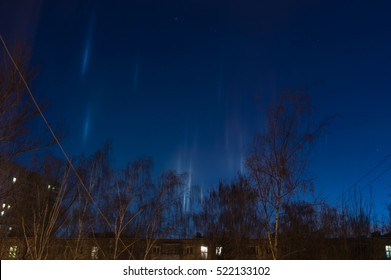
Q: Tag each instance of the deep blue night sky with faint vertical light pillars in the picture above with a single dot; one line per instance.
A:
(183, 81)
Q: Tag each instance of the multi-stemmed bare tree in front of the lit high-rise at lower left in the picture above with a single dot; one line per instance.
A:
(33, 212)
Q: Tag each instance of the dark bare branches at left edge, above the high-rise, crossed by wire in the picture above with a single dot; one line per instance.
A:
(17, 110)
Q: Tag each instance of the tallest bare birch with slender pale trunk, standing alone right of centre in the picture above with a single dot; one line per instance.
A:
(277, 160)
